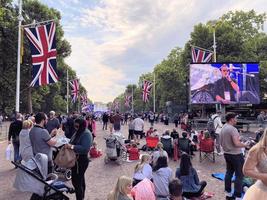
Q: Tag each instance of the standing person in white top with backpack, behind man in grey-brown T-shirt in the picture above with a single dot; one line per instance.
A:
(217, 122)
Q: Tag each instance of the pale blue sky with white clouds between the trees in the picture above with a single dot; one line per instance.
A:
(115, 41)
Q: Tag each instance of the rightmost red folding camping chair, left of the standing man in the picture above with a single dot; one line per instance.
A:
(206, 150)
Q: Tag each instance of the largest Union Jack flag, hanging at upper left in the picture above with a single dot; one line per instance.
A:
(43, 50)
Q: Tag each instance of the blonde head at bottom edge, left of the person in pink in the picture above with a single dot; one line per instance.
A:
(122, 189)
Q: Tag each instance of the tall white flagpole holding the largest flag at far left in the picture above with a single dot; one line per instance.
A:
(18, 60)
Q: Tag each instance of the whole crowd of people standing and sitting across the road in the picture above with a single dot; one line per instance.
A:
(152, 177)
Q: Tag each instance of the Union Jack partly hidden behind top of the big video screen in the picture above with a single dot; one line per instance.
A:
(201, 55)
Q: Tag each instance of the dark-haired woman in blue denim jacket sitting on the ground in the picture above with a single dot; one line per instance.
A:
(189, 178)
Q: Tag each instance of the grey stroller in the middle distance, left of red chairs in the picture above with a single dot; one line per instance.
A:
(115, 150)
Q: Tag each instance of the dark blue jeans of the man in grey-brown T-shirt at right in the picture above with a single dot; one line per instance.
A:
(234, 164)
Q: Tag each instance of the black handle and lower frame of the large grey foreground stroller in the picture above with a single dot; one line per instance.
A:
(53, 190)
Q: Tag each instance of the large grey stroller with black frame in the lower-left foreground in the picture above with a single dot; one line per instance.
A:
(32, 177)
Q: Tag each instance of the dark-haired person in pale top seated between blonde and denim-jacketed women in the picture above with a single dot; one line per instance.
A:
(162, 175)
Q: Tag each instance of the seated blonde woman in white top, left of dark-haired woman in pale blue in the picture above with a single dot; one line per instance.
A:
(142, 170)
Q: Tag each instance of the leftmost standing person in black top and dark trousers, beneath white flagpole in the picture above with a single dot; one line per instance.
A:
(13, 133)
